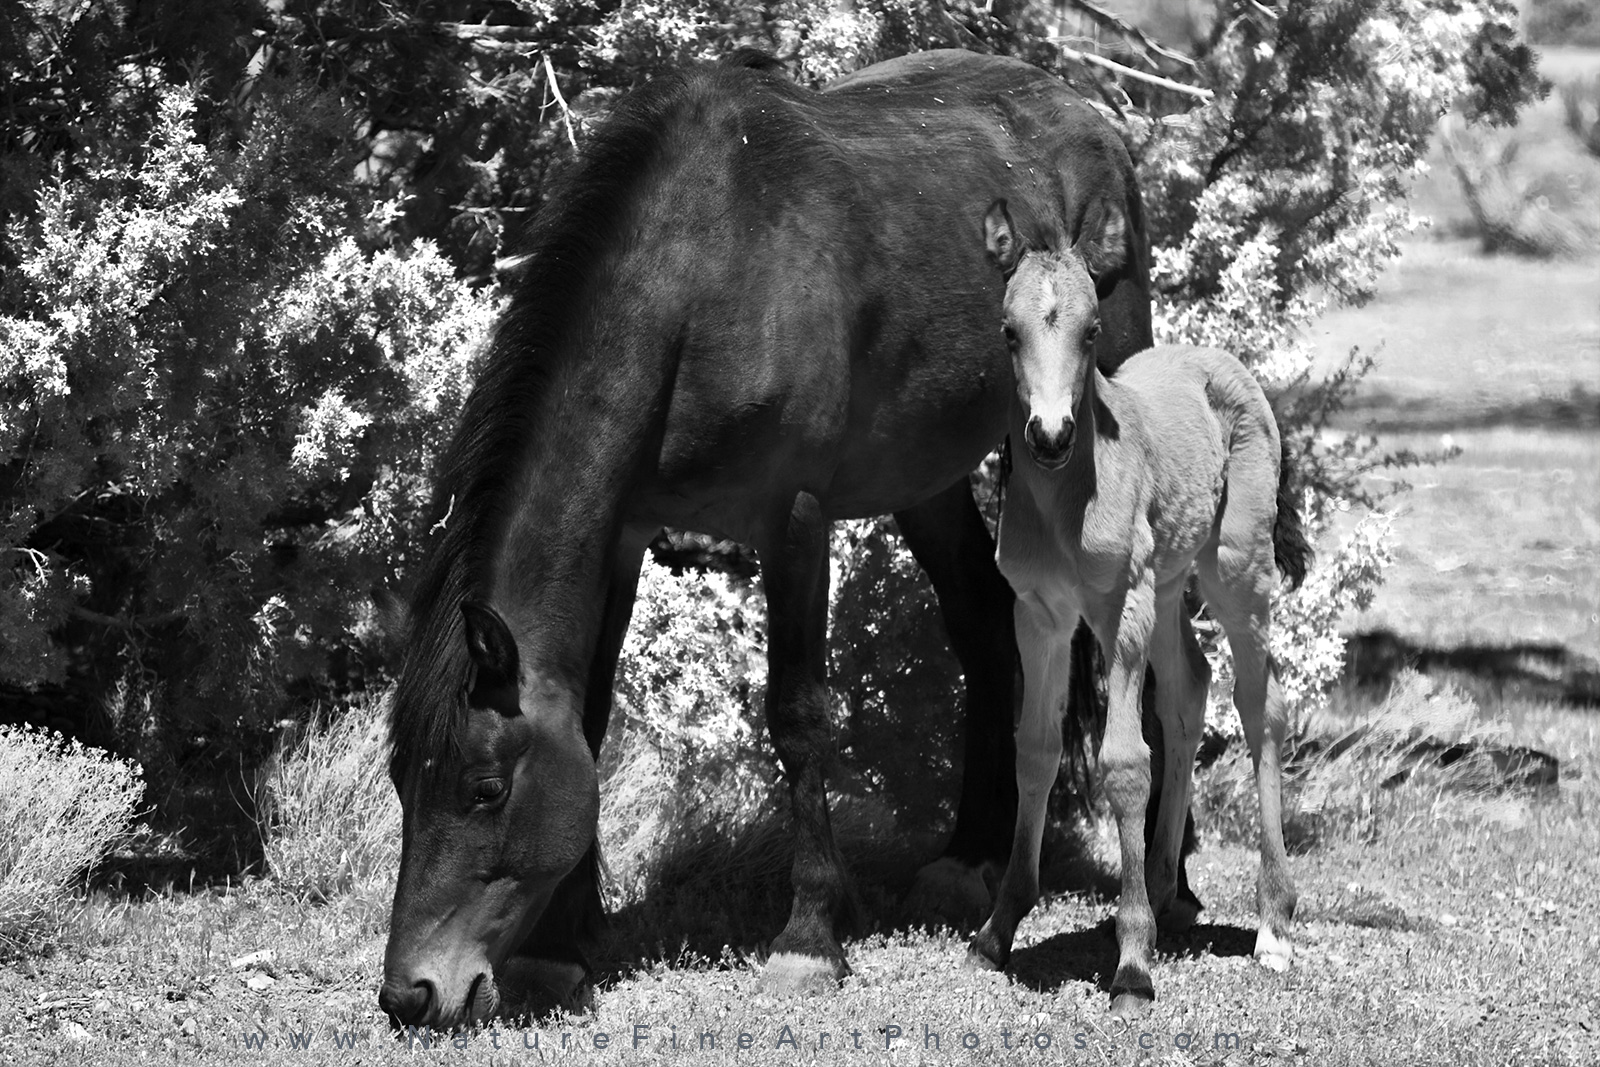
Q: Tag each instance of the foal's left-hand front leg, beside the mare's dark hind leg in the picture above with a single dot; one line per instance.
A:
(1044, 637)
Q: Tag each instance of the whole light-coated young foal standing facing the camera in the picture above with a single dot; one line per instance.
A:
(1129, 484)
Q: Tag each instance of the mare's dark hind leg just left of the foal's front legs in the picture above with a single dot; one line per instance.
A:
(953, 545)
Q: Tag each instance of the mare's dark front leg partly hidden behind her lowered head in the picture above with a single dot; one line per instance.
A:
(554, 956)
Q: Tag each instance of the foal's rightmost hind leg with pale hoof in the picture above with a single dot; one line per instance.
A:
(1239, 596)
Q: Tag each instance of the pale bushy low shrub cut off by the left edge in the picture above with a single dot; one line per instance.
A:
(63, 809)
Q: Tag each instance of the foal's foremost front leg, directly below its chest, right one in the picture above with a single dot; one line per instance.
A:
(1126, 769)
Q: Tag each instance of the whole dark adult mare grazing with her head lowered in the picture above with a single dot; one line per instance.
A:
(753, 310)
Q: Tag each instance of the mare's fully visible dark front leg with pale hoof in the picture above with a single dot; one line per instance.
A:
(807, 956)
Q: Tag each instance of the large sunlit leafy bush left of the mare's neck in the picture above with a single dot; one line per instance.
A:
(220, 409)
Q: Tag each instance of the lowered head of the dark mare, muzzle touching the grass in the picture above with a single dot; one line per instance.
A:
(502, 802)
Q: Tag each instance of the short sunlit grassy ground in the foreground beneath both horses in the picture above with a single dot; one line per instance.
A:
(1454, 930)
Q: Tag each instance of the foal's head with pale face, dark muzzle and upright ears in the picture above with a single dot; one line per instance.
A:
(1052, 321)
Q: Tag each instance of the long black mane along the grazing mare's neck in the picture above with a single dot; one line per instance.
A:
(578, 225)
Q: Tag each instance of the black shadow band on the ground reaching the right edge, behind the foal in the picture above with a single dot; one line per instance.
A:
(1529, 671)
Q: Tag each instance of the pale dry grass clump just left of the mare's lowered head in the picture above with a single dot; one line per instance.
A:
(329, 817)
